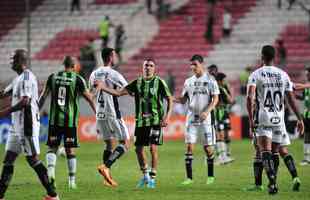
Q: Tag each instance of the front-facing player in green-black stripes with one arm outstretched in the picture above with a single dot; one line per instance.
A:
(149, 91)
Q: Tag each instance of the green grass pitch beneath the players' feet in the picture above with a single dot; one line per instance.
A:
(230, 179)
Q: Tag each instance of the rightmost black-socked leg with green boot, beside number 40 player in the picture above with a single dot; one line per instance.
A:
(290, 164)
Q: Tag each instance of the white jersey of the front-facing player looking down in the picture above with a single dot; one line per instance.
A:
(199, 92)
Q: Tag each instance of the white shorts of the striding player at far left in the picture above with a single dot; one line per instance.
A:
(29, 145)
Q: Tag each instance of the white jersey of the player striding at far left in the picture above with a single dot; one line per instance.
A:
(25, 122)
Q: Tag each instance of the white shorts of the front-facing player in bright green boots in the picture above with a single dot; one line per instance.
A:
(204, 132)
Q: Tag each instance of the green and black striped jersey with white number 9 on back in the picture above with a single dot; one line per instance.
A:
(65, 87)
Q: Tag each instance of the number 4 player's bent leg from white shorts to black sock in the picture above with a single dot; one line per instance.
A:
(121, 133)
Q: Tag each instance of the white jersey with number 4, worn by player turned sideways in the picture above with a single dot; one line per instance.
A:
(107, 105)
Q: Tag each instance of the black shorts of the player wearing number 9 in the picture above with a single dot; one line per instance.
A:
(57, 133)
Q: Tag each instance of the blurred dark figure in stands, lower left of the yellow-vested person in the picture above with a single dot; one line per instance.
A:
(87, 58)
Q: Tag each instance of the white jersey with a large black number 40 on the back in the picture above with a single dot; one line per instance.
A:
(271, 84)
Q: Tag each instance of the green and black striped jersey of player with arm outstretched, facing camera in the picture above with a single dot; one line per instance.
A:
(149, 95)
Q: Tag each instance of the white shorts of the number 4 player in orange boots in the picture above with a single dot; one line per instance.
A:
(112, 129)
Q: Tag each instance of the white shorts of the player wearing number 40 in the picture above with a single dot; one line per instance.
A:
(277, 134)
